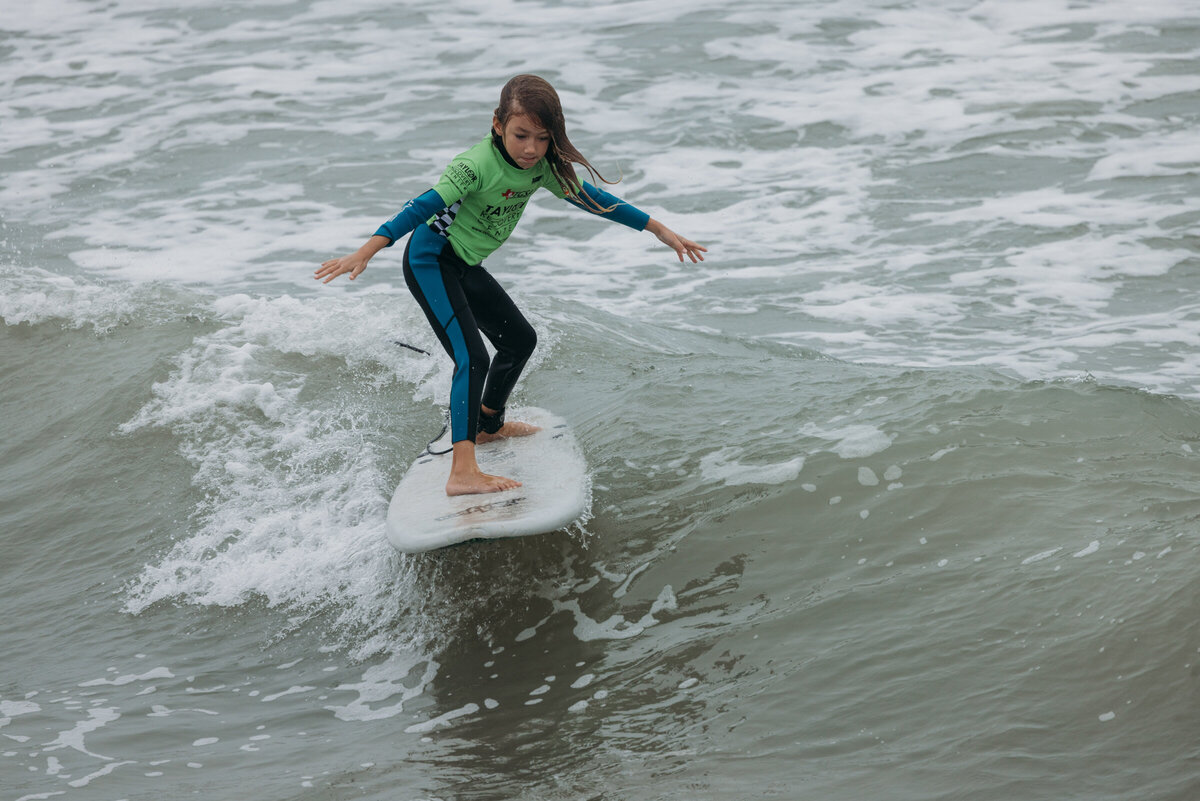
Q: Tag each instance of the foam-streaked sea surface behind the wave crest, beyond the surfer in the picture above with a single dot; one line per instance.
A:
(1028, 233)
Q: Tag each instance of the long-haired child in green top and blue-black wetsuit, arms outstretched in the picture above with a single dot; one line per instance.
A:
(469, 214)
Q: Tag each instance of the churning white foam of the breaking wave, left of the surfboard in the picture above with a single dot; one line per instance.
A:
(295, 492)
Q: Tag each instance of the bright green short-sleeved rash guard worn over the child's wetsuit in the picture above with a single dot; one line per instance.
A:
(485, 198)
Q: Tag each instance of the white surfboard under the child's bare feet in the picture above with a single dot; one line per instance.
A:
(554, 495)
